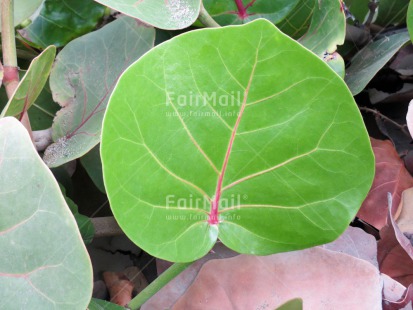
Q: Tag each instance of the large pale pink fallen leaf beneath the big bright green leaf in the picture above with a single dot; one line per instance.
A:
(320, 277)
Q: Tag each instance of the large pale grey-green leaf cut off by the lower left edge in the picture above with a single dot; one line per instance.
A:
(44, 263)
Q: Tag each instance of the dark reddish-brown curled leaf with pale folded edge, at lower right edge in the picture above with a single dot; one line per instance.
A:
(395, 252)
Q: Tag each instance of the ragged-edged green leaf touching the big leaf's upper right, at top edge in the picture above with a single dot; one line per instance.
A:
(327, 29)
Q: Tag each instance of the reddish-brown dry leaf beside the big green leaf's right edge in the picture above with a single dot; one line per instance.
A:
(391, 177)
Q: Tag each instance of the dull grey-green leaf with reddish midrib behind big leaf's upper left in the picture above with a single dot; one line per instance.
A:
(82, 79)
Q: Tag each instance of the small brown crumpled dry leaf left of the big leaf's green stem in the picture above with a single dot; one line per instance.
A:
(119, 286)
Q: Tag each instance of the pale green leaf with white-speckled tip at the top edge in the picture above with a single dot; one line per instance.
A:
(169, 15)
